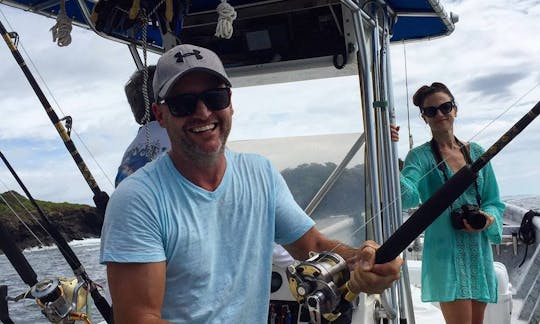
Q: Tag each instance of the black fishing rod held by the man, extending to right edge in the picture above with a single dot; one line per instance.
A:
(447, 194)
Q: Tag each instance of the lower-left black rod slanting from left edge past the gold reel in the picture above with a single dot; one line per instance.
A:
(68, 253)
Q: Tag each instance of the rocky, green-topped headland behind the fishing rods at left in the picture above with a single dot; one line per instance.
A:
(73, 221)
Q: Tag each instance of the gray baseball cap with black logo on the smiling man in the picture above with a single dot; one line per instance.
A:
(182, 59)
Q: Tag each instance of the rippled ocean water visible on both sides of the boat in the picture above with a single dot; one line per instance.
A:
(48, 263)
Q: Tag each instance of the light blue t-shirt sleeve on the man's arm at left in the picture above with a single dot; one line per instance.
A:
(131, 230)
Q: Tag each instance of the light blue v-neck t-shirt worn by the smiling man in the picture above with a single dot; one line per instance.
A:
(217, 245)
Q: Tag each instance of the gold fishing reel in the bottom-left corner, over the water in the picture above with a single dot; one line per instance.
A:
(61, 300)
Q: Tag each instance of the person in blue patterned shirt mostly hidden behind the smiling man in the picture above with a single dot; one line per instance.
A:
(151, 139)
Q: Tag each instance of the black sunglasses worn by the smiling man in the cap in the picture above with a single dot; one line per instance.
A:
(185, 104)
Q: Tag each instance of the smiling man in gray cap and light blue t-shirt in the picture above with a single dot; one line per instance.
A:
(188, 238)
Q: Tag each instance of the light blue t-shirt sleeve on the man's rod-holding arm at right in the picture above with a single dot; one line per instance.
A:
(291, 221)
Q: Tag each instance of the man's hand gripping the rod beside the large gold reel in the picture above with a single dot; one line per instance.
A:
(369, 277)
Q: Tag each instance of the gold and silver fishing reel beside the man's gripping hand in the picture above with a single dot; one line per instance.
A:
(321, 284)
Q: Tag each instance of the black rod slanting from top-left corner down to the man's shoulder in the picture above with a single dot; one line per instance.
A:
(100, 197)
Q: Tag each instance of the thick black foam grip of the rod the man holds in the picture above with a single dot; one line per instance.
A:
(425, 215)
